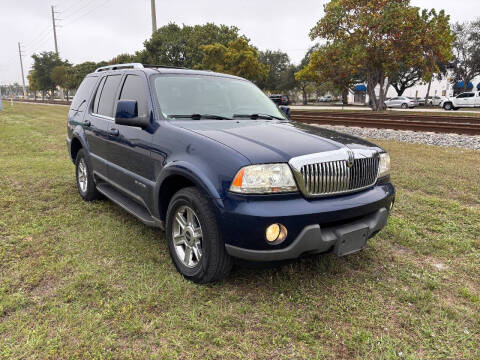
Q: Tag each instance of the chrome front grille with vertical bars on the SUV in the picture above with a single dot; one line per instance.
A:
(330, 174)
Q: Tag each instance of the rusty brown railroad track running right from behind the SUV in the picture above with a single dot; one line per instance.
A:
(440, 124)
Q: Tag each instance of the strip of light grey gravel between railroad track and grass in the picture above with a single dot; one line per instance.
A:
(429, 138)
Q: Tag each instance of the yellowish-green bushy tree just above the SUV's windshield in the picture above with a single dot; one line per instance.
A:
(237, 58)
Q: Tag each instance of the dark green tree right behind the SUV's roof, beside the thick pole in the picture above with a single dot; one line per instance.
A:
(181, 46)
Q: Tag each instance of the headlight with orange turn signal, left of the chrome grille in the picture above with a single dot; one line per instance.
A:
(264, 178)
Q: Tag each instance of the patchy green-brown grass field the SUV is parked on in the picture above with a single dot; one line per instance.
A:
(87, 280)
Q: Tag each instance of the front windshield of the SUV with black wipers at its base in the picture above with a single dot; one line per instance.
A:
(181, 96)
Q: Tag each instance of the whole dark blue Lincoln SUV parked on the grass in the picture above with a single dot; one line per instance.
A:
(210, 159)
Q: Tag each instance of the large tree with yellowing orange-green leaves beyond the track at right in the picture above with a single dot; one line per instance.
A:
(377, 36)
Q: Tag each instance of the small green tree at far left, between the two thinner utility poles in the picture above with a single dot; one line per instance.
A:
(43, 64)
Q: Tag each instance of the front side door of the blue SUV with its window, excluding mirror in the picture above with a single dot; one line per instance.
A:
(130, 166)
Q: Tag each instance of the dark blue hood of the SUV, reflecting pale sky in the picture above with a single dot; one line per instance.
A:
(264, 141)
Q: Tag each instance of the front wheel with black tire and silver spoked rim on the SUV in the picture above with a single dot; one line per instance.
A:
(199, 255)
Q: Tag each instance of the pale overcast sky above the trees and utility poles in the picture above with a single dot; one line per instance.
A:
(95, 30)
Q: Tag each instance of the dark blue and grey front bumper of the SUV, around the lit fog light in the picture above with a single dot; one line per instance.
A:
(314, 225)
